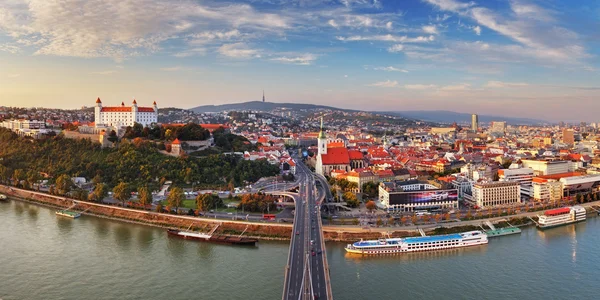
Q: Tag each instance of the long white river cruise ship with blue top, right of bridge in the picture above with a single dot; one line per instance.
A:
(418, 244)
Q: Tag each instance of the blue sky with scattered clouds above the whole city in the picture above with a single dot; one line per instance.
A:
(522, 58)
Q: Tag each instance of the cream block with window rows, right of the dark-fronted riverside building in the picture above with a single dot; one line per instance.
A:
(496, 193)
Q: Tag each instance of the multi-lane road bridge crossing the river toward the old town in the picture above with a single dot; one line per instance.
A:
(307, 270)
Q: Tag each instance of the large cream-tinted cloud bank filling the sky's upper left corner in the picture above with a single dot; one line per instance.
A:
(122, 28)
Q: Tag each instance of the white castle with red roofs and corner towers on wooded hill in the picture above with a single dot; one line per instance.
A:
(123, 116)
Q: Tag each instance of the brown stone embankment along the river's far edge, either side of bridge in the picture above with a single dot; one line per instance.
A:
(261, 231)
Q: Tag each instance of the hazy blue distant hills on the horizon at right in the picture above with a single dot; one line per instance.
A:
(444, 116)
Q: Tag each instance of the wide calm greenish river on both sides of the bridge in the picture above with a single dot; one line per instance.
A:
(46, 257)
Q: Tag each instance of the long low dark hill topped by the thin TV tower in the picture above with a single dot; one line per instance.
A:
(260, 106)
